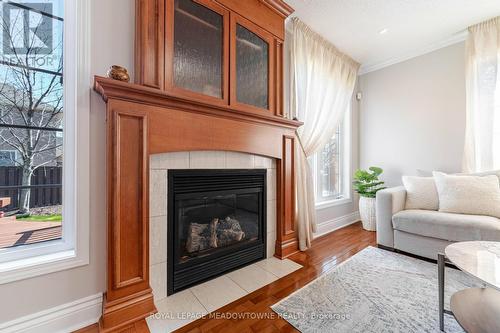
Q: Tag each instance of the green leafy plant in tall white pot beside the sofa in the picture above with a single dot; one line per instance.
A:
(367, 184)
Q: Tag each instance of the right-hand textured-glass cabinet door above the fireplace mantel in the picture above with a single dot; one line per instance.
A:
(252, 66)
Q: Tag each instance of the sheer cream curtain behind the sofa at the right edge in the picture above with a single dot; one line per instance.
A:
(482, 139)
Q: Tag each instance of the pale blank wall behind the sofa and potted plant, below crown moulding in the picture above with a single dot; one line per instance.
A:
(412, 115)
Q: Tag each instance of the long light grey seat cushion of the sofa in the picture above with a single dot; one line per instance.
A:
(447, 226)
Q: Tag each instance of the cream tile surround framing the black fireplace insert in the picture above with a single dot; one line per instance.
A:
(159, 166)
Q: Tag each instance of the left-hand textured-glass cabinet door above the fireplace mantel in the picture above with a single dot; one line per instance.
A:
(199, 44)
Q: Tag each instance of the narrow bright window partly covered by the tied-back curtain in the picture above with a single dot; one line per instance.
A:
(331, 168)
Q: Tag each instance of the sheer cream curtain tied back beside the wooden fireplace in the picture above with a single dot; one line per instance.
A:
(322, 82)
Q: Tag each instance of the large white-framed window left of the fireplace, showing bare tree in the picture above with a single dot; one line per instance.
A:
(39, 151)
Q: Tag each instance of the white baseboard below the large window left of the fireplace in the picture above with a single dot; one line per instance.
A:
(64, 318)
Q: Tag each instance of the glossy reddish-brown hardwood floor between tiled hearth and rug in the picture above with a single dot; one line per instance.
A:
(254, 312)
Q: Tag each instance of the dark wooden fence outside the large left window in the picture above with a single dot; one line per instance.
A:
(46, 186)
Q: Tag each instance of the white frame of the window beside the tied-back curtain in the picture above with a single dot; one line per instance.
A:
(346, 160)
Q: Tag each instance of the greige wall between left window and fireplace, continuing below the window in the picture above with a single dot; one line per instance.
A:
(112, 43)
